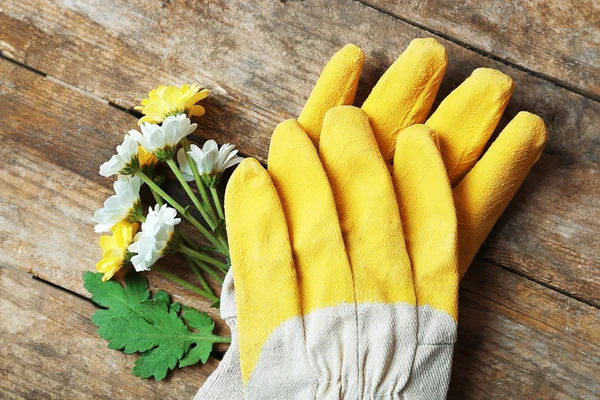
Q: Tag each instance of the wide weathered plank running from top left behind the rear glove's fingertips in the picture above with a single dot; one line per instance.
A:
(261, 58)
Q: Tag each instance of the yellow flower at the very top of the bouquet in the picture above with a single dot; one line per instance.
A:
(171, 100)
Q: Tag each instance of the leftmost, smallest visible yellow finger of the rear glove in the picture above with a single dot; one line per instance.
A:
(335, 87)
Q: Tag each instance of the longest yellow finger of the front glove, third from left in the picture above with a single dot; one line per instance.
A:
(367, 208)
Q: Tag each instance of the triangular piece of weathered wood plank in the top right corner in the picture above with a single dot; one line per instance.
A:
(557, 39)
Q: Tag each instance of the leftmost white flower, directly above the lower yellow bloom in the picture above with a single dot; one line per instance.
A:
(120, 206)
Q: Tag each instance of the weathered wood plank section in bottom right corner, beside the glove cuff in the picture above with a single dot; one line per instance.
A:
(520, 340)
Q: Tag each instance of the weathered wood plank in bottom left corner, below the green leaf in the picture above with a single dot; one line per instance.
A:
(50, 350)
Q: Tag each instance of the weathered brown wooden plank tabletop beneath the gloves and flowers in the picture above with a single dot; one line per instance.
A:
(71, 70)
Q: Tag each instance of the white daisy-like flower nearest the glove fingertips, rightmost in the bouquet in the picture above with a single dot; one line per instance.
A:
(210, 160)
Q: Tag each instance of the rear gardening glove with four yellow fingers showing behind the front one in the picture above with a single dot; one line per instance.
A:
(404, 96)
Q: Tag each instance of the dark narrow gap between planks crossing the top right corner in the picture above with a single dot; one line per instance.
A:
(556, 82)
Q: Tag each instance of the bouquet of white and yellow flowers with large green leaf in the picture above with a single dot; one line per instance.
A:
(165, 333)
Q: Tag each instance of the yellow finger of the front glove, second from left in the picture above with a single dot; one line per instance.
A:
(322, 267)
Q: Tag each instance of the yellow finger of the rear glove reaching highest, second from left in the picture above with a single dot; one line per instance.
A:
(404, 94)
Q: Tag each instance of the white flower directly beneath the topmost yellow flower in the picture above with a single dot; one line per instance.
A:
(162, 140)
